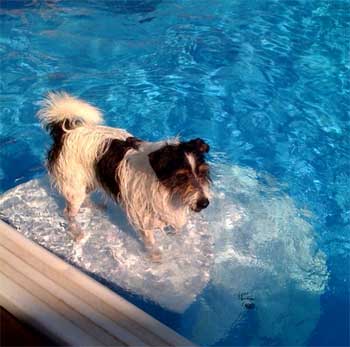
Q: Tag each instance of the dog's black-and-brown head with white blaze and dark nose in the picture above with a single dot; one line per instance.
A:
(182, 169)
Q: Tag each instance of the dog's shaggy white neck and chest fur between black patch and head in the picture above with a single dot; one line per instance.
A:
(147, 203)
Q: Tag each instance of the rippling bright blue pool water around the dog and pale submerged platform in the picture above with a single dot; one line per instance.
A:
(267, 83)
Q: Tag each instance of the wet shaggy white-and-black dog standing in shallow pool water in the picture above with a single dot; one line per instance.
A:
(157, 183)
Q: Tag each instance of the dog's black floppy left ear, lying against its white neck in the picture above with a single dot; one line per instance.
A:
(161, 162)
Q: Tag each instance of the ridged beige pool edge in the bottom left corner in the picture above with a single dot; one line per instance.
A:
(68, 306)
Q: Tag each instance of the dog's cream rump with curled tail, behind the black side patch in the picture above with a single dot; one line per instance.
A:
(78, 142)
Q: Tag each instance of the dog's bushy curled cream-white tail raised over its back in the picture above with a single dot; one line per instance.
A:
(67, 112)
